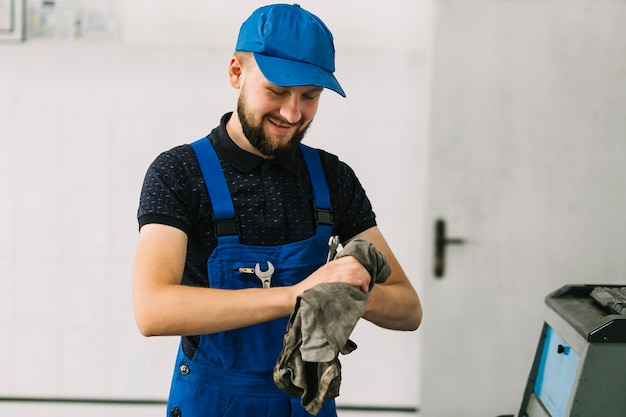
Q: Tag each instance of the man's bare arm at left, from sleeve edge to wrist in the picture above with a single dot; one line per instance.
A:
(165, 307)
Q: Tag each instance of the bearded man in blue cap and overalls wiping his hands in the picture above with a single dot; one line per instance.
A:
(236, 226)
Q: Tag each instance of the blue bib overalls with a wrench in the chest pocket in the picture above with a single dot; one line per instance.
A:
(230, 374)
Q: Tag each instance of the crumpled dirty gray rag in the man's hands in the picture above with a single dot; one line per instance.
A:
(319, 327)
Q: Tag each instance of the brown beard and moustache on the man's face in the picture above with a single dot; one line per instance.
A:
(257, 137)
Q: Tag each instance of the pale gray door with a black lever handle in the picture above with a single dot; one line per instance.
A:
(528, 166)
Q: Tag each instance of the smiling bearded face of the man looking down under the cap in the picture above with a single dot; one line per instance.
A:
(272, 119)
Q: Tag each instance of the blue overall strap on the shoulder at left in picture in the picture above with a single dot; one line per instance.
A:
(223, 210)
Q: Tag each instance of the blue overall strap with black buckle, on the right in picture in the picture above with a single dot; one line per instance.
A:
(321, 195)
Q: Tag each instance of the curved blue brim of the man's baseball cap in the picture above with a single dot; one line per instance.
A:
(287, 73)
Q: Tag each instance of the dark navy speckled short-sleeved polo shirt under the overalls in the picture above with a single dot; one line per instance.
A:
(272, 198)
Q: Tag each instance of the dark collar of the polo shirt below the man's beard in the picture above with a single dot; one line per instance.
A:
(243, 160)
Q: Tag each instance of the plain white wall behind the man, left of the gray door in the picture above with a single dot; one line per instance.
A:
(79, 124)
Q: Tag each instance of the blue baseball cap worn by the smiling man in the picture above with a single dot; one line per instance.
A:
(292, 46)
